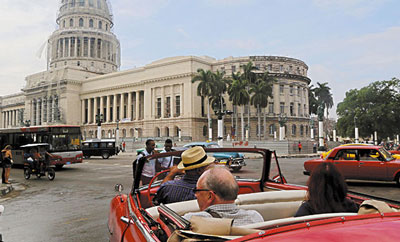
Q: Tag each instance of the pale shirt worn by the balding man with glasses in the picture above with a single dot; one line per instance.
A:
(240, 216)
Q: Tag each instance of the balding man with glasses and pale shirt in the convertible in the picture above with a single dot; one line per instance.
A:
(216, 192)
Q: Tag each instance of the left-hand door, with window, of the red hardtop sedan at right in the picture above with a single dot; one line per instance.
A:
(346, 162)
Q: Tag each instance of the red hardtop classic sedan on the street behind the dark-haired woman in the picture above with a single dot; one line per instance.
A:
(361, 162)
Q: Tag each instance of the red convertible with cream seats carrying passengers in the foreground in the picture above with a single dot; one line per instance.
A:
(133, 217)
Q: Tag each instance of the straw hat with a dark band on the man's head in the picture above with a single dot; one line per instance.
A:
(194, 158)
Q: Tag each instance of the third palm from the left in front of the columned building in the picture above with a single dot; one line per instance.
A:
(239, 95)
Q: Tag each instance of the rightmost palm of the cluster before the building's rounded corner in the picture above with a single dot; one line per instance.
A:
(261, 90)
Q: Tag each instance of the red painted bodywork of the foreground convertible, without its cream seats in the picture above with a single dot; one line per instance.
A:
(131, 216)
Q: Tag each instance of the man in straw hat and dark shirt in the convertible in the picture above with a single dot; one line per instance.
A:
(194, 162)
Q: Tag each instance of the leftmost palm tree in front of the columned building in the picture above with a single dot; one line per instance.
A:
(204, 89)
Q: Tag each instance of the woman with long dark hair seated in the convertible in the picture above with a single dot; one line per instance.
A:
(327, 191)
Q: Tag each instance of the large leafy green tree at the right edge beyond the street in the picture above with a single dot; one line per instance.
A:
(376, 108)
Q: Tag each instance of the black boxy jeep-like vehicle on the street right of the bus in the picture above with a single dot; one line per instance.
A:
(99, 147)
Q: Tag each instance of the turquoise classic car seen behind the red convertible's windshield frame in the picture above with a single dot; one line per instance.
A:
(233, 160)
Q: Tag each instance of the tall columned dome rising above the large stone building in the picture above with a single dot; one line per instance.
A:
(84, 37)
